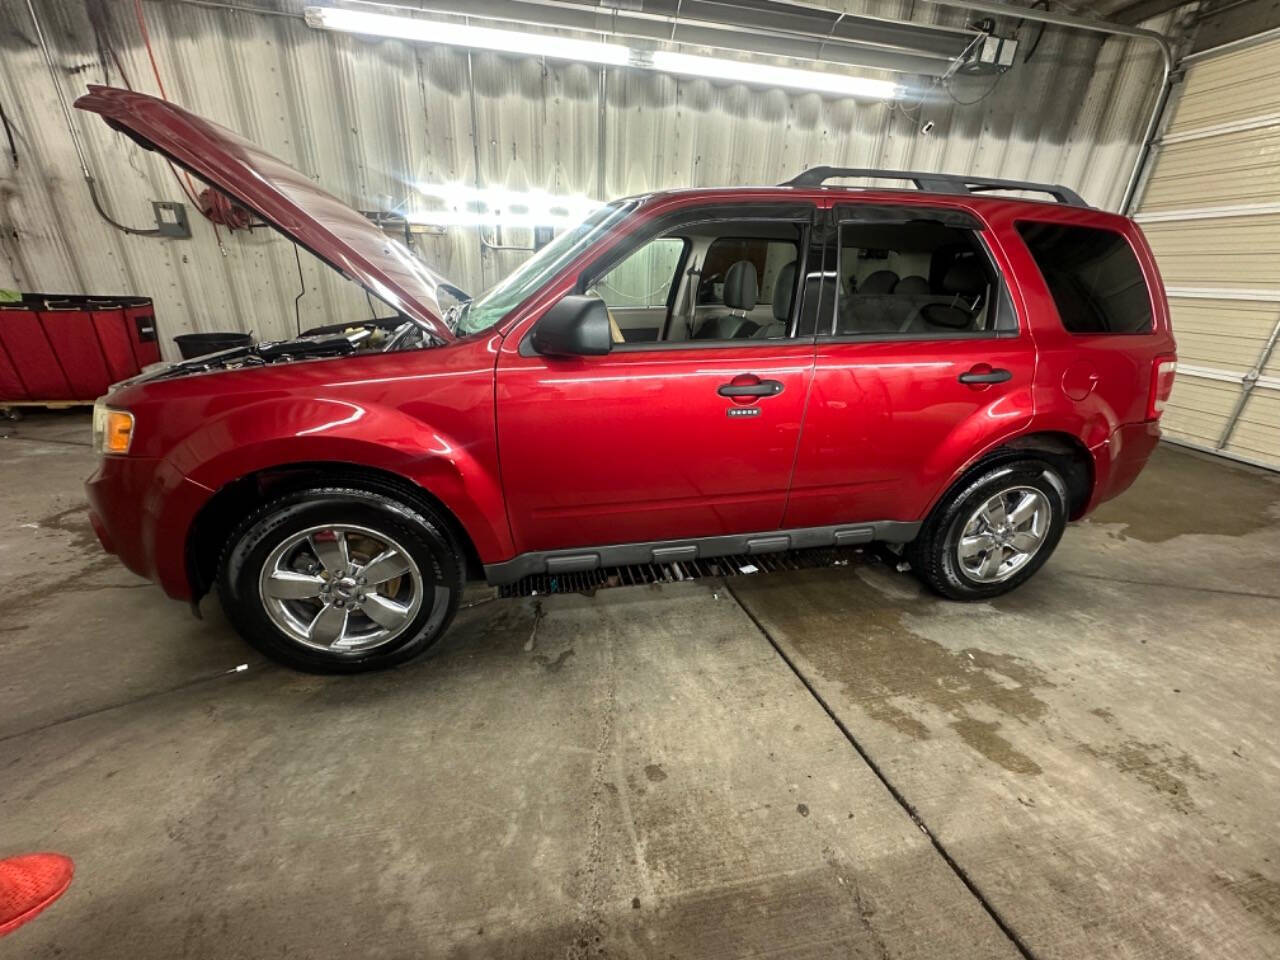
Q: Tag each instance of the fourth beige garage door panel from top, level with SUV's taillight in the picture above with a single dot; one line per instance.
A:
(1222, 333)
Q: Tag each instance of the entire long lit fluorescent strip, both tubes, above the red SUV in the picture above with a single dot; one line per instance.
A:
(592, 52)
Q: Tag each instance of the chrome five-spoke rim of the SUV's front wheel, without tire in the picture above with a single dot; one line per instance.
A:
(342, 589)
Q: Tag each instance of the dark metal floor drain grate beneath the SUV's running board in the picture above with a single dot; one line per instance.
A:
(641, 574)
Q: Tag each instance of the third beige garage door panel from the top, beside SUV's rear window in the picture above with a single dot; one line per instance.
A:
(1240, 253)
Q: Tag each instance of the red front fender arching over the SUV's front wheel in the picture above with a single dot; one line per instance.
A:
(281, 432)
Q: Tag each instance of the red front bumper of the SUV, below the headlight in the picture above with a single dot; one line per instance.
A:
(141, 511)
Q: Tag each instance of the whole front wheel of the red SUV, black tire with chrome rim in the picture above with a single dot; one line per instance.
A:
(341, 580)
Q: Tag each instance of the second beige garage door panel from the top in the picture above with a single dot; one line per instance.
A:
(1233, 168)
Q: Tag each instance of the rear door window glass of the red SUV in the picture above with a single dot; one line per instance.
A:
(916, 278)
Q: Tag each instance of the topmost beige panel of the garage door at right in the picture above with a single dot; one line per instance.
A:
(1229, 89)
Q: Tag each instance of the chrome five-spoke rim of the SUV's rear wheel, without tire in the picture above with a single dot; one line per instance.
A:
(1002, 537)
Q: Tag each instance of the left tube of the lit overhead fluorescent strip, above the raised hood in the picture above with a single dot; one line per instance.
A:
(508, 42)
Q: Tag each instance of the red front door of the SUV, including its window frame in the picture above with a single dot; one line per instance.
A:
(678, 433)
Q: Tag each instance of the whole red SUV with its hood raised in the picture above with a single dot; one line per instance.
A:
(685, 374)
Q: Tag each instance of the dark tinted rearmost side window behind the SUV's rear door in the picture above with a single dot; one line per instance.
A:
(1094, 277)
